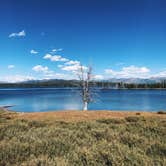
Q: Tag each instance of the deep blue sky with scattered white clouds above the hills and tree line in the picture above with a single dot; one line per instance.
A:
(50, 39)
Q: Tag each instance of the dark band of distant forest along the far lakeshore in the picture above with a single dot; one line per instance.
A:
(75, 83)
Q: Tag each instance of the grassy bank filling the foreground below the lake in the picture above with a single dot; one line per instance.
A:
(133, 139)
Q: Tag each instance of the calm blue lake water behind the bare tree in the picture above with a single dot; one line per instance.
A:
(36, 99)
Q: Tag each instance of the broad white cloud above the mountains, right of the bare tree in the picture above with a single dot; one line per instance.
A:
(130, 71)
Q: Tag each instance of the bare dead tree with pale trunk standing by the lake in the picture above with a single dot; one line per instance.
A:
(85, 77)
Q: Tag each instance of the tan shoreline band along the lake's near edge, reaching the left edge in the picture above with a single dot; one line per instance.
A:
(79, 115)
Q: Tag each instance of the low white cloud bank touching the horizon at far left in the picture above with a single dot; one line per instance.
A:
(16, 78)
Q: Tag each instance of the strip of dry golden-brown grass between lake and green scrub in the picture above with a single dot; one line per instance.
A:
(74, 116)
